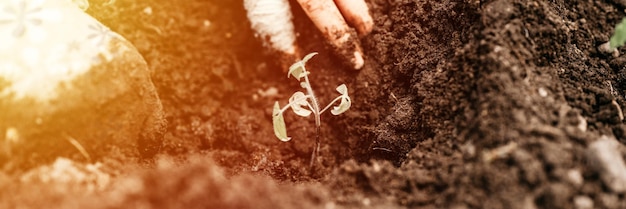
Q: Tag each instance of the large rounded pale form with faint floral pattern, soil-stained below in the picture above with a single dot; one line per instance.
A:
(71, 87)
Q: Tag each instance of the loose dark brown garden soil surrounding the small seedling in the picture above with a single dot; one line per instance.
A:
(461, 104)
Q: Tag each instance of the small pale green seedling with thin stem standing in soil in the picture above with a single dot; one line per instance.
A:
(305, 104)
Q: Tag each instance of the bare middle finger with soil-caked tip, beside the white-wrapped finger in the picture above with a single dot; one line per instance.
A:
(328, 19)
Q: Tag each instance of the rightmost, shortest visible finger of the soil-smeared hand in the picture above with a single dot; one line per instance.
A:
(357, 14)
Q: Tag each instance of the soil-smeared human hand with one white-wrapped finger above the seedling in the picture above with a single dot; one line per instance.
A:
(271, 20)
